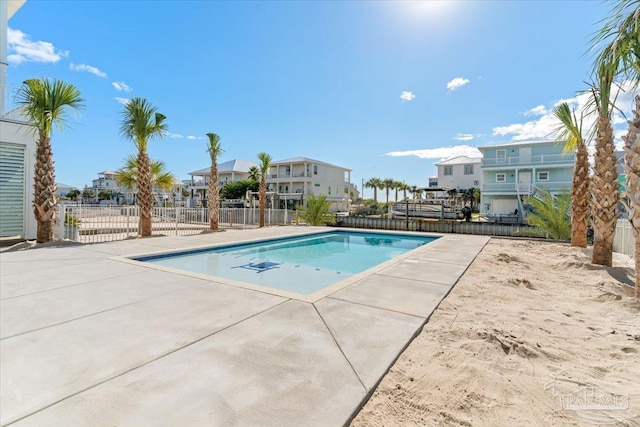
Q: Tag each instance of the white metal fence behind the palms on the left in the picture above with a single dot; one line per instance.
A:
(93, 224)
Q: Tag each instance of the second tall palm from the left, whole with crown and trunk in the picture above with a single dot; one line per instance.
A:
(141, 122)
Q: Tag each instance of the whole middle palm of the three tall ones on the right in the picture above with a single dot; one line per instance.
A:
(605, 177)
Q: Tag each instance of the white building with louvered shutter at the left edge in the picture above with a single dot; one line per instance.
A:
(17, 149)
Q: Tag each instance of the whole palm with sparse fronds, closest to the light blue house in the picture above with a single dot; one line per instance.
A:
(570, 131)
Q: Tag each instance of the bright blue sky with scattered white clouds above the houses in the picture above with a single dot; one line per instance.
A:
(383, 88)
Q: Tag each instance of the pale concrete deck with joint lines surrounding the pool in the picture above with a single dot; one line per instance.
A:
(88, 339)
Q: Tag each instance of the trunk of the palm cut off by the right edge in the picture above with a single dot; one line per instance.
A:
(632, 161)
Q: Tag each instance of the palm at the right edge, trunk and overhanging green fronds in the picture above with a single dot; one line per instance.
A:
(622, 47)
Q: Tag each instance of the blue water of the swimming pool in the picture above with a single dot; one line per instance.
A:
(304, 264)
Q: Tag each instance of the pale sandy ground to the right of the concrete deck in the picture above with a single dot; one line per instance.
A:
(531, 335)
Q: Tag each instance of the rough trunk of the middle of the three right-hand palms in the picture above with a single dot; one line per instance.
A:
(605, 194)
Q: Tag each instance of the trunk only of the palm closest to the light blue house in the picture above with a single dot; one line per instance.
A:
(580, 198)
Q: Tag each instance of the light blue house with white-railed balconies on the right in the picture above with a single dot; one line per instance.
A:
(512, 172)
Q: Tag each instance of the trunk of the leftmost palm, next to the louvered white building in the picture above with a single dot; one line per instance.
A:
(44, 190)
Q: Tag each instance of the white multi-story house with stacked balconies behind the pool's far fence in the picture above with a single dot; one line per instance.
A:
(293, 179)
